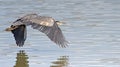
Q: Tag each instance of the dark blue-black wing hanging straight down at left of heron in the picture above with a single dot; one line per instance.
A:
(20, 35)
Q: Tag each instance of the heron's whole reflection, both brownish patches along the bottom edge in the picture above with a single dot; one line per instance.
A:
(22, 60)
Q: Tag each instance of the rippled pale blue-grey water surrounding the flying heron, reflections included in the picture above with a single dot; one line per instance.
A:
(91, 26)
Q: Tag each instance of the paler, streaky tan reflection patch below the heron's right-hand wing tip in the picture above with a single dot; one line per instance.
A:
(61, 62)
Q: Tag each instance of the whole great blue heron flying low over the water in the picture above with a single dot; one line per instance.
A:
(44, 24)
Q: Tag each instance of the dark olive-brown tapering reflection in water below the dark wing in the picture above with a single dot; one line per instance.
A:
(21, 59)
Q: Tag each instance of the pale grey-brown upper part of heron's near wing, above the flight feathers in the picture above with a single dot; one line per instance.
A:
(34, 18)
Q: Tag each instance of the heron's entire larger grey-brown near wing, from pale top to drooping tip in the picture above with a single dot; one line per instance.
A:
(46, 25)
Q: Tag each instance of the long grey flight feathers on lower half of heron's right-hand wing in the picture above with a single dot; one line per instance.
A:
(54, 33)
